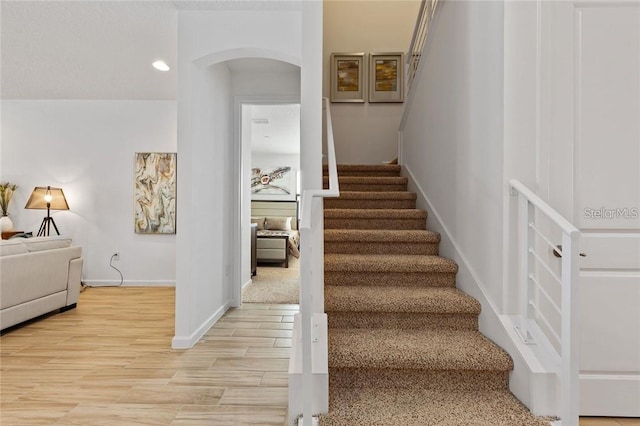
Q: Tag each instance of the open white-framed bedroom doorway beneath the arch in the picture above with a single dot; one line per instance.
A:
(269, 138)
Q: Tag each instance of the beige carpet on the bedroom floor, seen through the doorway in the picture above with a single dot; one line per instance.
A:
(274, 284)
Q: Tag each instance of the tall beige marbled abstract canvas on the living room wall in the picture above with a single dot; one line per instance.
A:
(155, 193)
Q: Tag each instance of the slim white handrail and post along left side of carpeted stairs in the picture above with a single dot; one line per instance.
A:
(306, 274)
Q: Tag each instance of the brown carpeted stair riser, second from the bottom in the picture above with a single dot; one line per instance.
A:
(402, 321)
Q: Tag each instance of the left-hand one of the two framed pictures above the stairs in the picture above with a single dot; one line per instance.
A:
(348, 77)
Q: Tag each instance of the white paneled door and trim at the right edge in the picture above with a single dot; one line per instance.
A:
(593, 63)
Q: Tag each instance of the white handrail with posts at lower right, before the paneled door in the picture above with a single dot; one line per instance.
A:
(528, 283)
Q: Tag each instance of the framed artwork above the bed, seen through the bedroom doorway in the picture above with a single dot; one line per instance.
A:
(273, 183)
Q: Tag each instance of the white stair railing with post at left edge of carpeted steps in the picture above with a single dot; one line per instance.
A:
(312, 241)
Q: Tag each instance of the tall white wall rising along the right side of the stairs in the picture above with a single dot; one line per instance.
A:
(473, 125)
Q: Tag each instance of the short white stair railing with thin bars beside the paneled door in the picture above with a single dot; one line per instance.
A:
(548, 306)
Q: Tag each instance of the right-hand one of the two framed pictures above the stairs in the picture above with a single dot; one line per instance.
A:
(386, 72)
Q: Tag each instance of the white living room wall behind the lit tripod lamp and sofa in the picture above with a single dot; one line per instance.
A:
(87, 148)
